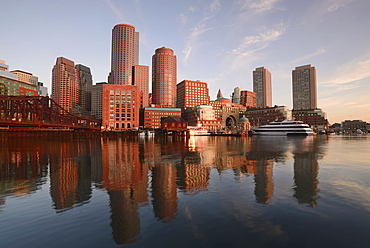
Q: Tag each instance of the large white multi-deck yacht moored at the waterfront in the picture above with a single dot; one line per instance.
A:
(284, 128)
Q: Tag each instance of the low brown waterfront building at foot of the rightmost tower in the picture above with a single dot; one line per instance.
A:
(316, 118)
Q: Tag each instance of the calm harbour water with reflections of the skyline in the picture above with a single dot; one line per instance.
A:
(207, 192)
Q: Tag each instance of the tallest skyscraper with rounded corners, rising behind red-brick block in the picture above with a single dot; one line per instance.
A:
(125, 54)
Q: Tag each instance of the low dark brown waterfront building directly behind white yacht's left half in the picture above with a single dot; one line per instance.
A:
(263, 116)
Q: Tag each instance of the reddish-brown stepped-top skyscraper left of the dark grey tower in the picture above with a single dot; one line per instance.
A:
(65, 89)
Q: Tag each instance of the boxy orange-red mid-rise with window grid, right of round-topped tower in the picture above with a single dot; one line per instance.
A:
(192, 93)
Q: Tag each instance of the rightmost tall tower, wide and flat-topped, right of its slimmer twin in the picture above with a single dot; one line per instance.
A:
(304, 87)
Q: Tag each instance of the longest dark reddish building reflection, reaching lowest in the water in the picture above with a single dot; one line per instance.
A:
(126, 180)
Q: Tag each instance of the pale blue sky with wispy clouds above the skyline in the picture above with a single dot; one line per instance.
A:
(220, 42)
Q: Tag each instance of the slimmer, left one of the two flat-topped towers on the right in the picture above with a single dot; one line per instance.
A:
(262, 86)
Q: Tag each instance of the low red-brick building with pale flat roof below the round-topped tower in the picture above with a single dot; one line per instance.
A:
(151, 116)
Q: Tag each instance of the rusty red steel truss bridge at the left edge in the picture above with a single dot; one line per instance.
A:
(40, 113)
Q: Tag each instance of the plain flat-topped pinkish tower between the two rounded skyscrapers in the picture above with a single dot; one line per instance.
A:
(141, 80)
